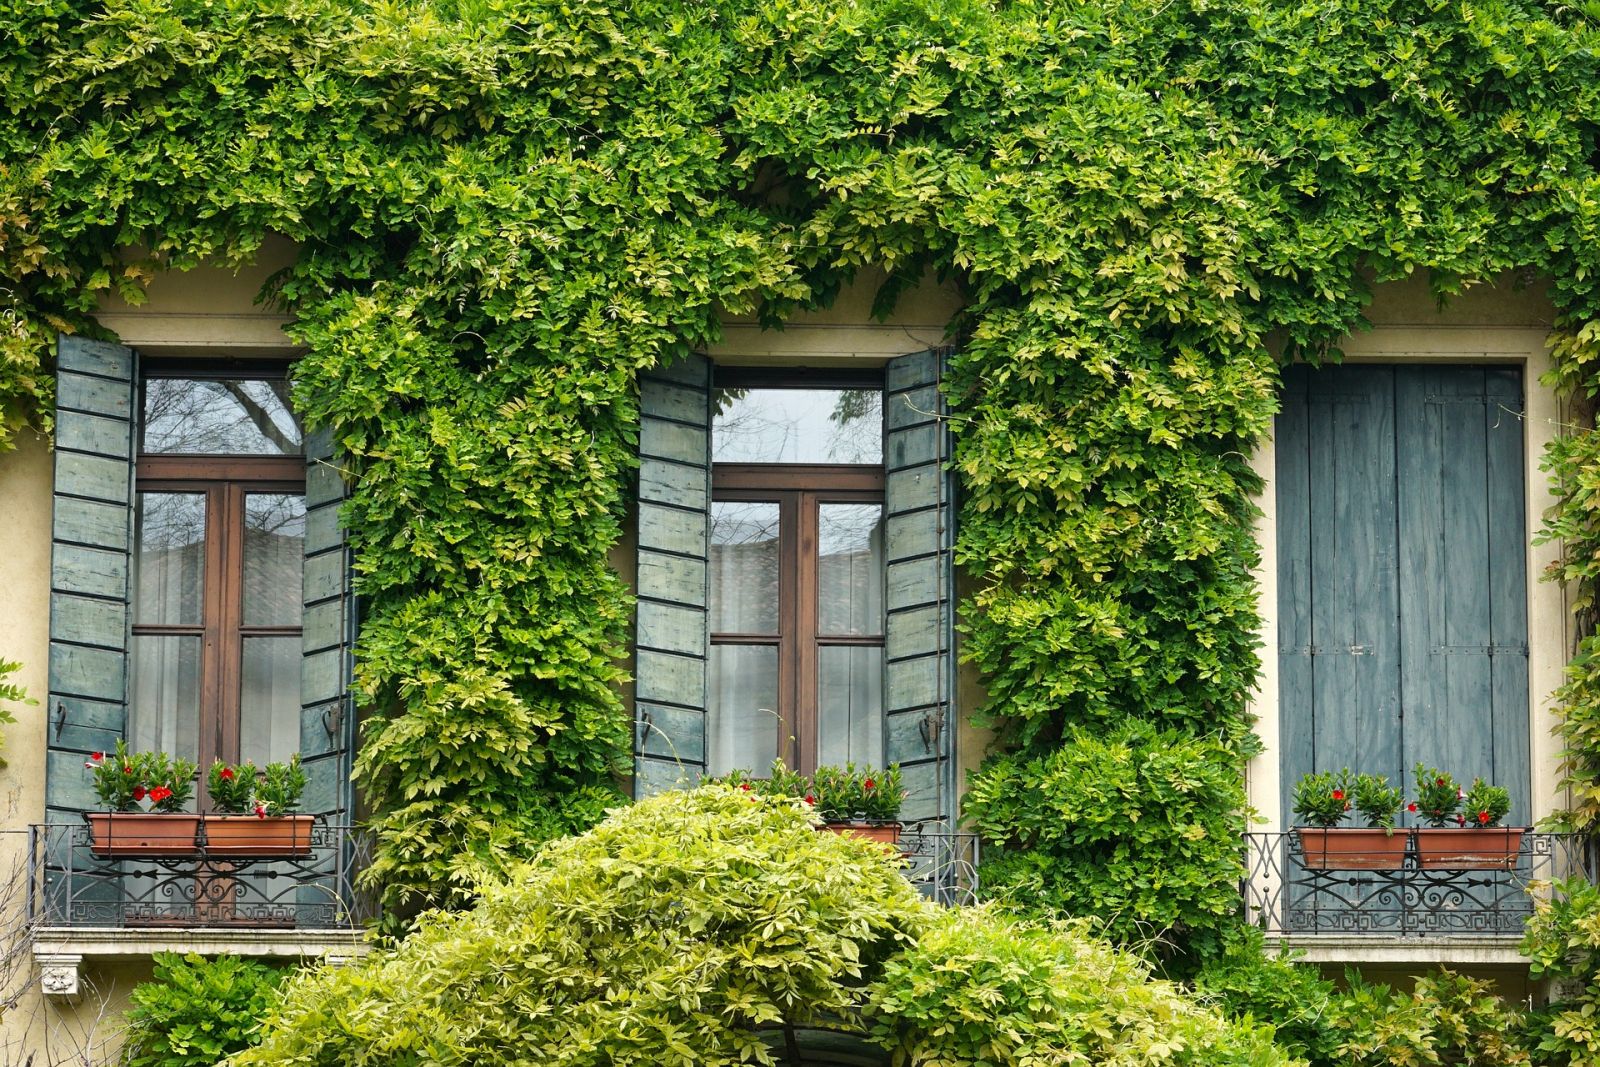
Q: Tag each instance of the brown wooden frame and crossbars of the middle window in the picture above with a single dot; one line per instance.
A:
(799, 492)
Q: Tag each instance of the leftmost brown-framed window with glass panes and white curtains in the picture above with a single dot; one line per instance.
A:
(218, 548)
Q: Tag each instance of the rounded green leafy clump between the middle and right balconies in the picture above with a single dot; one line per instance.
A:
(1138, 829)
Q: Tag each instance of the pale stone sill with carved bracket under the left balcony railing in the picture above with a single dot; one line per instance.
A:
(60, 951)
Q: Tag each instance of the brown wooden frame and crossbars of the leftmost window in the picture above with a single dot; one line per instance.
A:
(225, 481)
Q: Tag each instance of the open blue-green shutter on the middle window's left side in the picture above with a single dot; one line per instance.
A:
(674, 502)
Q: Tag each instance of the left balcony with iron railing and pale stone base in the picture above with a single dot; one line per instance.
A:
(87, 906)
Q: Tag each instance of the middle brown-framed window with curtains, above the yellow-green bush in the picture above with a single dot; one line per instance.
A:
(796, 575)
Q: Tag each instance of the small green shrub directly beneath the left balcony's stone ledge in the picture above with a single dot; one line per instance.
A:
(194, 1012)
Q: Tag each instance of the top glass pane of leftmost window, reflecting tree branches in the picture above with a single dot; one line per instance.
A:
(225, 417)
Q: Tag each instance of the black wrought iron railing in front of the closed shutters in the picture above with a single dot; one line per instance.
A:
(1286, 897)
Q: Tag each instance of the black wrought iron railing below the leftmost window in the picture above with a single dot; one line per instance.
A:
(71, 885)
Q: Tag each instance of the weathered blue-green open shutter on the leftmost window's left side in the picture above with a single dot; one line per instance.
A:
(92, 532)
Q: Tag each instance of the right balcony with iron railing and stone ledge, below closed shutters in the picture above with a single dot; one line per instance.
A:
(1414, 914)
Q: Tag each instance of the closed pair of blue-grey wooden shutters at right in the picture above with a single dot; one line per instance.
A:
(1402, 575)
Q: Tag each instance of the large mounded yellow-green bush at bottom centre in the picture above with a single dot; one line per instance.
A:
(681, 925)
